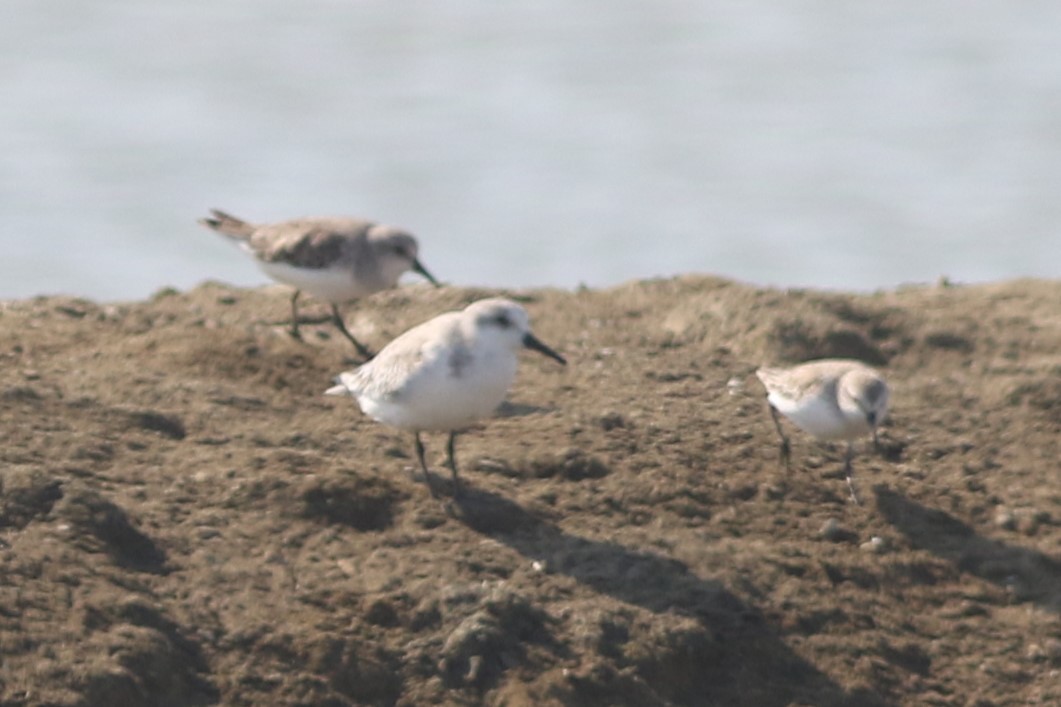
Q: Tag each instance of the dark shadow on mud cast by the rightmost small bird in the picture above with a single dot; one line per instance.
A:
(1030, 575)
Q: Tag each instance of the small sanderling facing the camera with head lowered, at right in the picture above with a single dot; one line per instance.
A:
(830, 400)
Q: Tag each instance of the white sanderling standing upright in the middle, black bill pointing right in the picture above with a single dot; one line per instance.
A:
(445, 374)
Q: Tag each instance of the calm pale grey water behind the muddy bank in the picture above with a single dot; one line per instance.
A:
(821, 144)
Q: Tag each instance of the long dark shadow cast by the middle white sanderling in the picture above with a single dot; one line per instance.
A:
(749, 663)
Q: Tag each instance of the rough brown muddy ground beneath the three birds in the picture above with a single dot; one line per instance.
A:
(185, 520)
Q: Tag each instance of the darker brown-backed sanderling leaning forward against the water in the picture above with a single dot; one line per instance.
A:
(335, 260)
